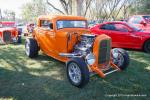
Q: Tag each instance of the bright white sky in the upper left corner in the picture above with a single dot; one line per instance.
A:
(14, 5)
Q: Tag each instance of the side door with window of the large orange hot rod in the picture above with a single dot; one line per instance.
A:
(46, 36)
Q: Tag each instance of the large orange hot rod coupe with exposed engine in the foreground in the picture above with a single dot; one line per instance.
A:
(67, 39)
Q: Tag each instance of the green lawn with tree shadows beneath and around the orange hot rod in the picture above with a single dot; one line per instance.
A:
(44, 78)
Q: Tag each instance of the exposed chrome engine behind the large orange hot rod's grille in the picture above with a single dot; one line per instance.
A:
(84, 47)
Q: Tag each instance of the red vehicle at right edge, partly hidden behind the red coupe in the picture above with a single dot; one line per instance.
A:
(141, 21)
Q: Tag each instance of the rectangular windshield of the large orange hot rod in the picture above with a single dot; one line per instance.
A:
(71, 24)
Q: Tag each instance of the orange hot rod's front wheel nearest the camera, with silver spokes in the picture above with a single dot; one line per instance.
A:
(77, 72)
